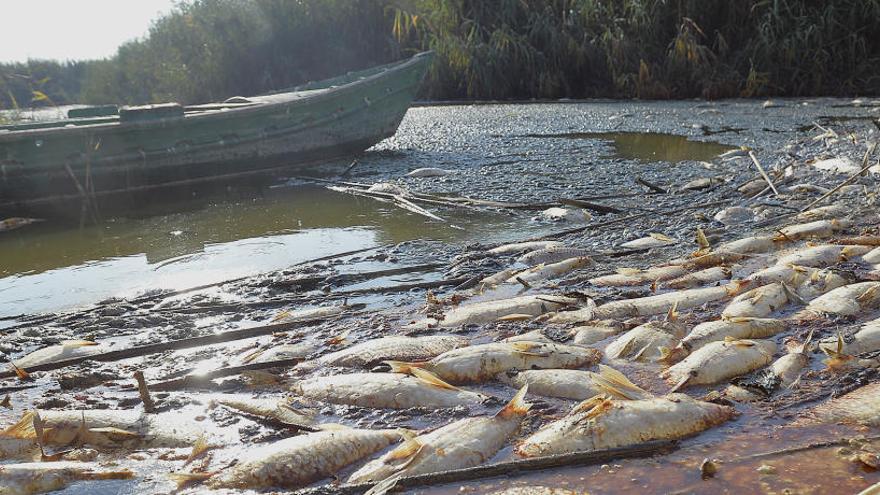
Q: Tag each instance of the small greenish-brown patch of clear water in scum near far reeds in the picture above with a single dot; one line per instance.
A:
(650, 146)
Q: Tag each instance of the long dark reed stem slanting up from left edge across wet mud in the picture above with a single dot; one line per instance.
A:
(145, 350)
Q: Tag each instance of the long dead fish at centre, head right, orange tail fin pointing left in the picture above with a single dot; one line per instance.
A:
(482, 362)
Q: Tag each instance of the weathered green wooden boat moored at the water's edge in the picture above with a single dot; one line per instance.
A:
(104, 151)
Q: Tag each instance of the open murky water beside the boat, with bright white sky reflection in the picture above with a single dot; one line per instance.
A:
(48, 267)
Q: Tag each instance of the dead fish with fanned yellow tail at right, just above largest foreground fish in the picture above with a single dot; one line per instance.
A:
(573, 384)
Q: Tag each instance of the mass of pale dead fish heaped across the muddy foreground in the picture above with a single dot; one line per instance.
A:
(714, 316)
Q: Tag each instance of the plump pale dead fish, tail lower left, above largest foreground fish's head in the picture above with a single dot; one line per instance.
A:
(719, 361)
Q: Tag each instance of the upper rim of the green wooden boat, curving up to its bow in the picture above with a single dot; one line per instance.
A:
(318, 95)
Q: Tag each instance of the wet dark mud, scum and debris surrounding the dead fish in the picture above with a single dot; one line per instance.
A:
(536, 163)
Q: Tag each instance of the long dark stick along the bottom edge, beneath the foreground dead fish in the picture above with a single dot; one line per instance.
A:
(647, 449)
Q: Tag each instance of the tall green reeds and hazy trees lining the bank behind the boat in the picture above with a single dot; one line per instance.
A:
(499, 49)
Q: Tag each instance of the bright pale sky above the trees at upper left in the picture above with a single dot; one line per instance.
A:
(73, 29)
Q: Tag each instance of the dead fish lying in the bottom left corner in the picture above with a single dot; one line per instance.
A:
(40, 477)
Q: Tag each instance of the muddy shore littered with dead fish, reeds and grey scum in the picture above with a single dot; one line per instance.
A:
(386, 358)
